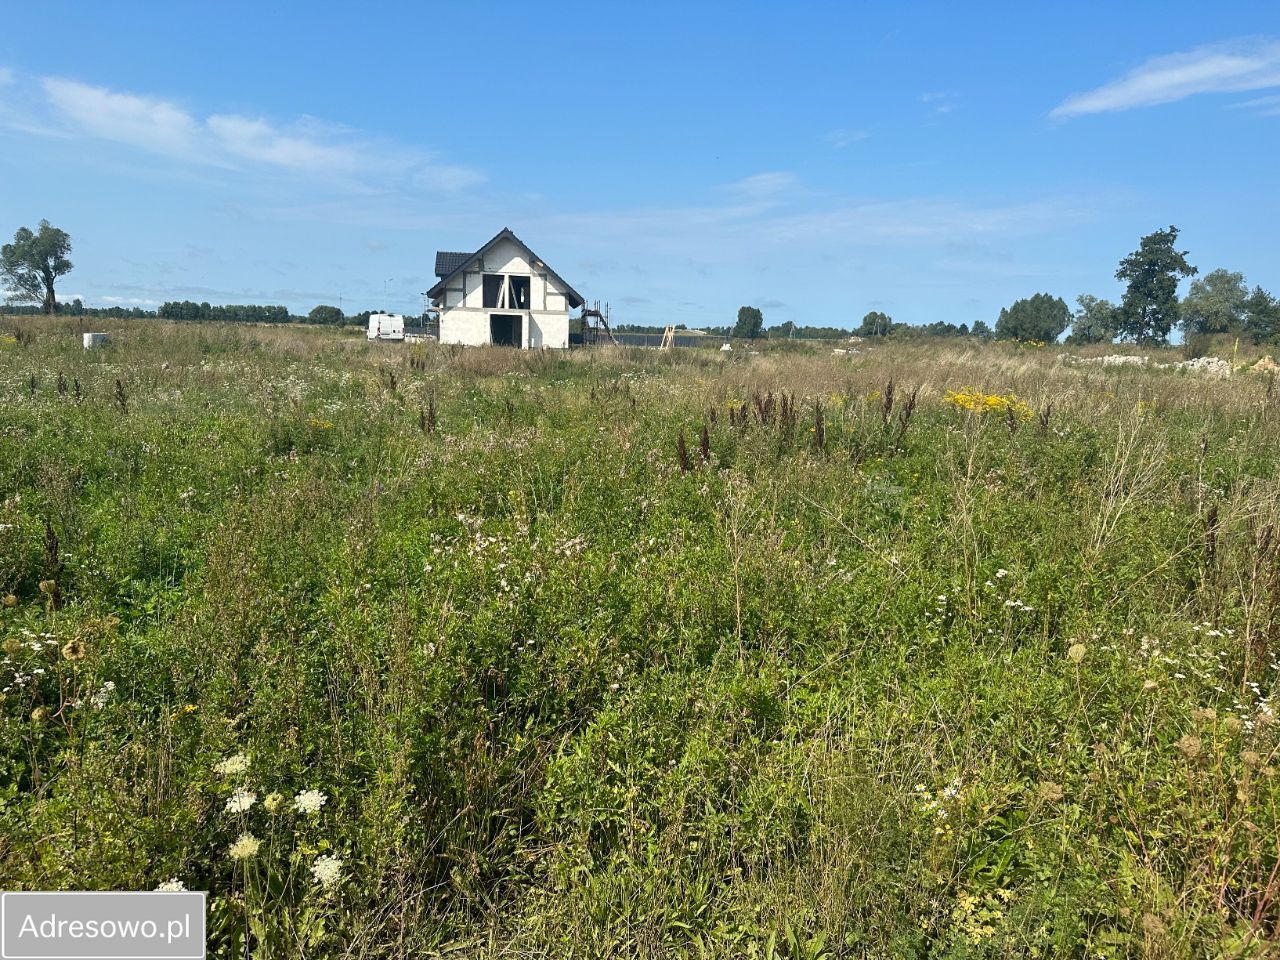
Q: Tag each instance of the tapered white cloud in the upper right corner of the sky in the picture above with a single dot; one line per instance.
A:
(1232, 67)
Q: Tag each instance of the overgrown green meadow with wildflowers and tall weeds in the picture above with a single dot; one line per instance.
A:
(405, 651)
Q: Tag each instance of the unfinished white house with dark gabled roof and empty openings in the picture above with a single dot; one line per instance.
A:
(504, 295)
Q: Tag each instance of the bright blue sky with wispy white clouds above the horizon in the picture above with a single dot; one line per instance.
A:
(680, 161)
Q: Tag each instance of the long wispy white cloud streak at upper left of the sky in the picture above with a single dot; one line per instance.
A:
(67, 108)
